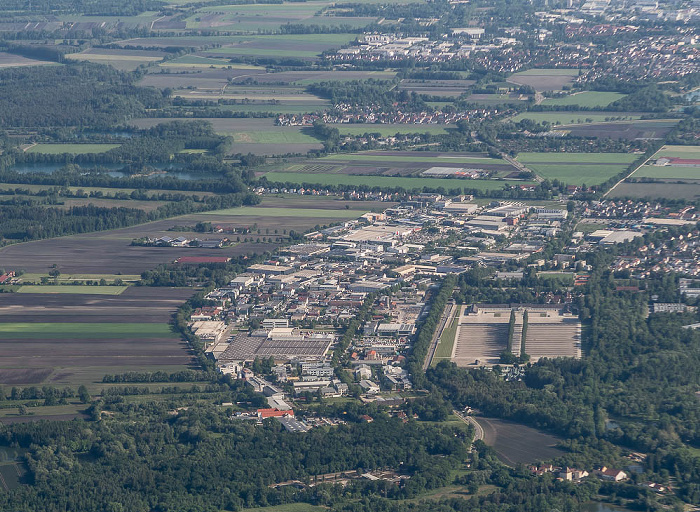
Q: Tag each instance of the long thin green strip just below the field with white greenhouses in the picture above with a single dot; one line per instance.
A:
(382, 181)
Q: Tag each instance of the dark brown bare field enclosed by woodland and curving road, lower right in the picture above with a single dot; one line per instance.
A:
(516, 443)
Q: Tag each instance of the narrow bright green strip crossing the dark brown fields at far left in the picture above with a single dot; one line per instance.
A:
(83, 330)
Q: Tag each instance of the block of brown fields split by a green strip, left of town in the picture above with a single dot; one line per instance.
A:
(76, 339)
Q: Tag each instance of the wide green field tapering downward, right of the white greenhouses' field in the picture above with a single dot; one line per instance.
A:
(577, 168)
